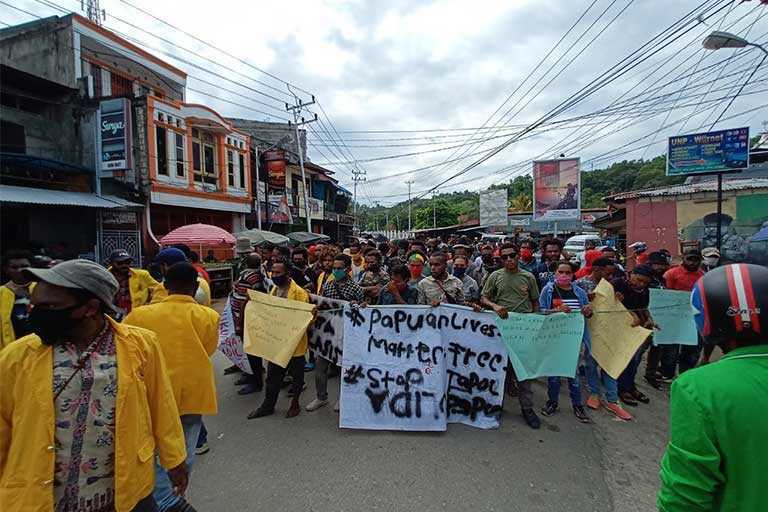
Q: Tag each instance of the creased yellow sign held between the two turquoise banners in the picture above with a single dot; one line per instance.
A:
(614, 339)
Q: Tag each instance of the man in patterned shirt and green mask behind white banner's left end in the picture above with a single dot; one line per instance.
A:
(342, 287)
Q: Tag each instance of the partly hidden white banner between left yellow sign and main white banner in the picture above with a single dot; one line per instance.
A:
(326, 333)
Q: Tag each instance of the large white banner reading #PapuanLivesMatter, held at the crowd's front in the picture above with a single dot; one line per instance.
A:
(419, 368)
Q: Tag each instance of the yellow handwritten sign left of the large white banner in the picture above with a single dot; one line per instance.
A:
(274, 326)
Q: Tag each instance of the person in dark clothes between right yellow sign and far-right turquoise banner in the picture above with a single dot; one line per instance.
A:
(633, 293)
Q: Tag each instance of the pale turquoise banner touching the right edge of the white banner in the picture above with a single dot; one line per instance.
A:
(542, 345)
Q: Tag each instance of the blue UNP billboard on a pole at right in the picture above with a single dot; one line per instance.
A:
(701, 153)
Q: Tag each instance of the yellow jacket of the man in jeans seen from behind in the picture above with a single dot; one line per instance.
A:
(188, 334)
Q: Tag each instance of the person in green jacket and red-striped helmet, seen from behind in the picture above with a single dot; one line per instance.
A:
(717, 456)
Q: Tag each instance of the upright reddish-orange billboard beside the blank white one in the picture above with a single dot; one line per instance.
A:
(557, 189)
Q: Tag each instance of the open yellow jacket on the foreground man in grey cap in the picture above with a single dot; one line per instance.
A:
(146, 420)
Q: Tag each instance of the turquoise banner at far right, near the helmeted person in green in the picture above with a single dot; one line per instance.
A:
(672, 311)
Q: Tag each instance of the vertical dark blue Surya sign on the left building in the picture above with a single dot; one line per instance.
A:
(115, 134)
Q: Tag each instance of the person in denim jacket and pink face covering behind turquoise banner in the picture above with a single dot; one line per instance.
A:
(562, 296)
